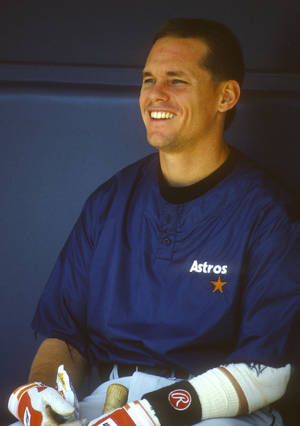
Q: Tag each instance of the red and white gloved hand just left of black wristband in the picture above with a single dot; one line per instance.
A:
(137, 413)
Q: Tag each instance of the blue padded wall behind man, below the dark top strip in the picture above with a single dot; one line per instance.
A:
(57, 145)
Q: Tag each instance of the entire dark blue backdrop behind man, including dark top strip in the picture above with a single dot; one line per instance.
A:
(69, 118)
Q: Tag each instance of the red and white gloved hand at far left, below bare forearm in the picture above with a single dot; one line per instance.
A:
(38, 405)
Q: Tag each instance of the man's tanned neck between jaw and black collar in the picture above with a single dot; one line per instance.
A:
(186, 168)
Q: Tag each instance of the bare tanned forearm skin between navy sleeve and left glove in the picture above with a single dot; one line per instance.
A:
(50, 355)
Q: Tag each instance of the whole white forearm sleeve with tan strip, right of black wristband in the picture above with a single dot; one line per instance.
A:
(221, 389)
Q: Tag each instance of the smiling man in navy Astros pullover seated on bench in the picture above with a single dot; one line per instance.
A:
(182, 269)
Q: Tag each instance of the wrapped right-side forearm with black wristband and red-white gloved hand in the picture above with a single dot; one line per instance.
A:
(225, 391)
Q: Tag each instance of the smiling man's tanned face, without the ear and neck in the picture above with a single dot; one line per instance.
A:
(178, 99)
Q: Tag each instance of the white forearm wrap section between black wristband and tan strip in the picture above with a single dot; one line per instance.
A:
(217, 394)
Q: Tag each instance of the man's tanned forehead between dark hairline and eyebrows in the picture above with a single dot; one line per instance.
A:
(178, 52)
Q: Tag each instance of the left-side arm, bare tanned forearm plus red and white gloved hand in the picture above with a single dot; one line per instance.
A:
(38, 402)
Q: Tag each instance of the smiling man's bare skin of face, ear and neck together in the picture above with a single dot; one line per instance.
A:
(184, 109)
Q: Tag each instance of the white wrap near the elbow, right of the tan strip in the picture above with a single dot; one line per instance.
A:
(261, 385)
